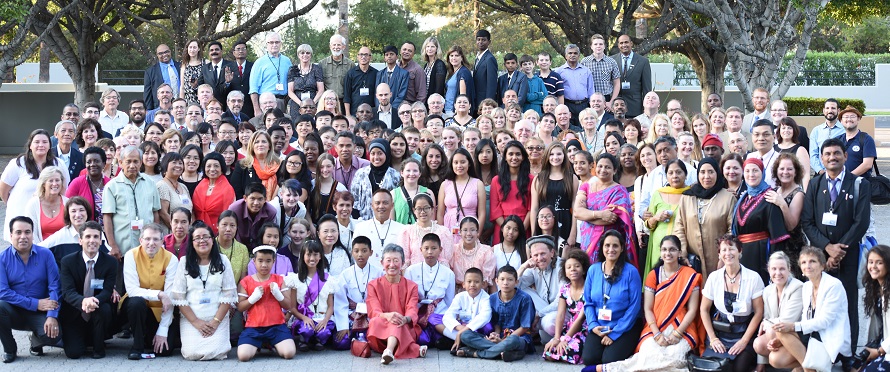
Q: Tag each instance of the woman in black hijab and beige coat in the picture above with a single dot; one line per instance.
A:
(705, 214)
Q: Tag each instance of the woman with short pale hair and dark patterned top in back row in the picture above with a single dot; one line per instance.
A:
(304, 80)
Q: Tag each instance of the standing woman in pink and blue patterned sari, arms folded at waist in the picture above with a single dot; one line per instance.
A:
(602, 204)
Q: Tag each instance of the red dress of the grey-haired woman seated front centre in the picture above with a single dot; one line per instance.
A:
(385, 297)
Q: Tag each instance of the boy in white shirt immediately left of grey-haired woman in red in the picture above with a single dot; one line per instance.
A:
(351, 311)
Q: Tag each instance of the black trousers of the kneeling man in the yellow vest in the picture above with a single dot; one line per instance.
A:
(144, 326)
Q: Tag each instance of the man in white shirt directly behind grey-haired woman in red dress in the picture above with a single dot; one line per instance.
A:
(381, 229)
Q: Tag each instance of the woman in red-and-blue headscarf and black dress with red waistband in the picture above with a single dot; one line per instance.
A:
(758, 223)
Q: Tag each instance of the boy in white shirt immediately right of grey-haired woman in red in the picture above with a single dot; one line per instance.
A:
(435, 289)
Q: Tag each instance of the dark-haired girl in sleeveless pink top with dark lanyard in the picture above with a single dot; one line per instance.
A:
(462, 194)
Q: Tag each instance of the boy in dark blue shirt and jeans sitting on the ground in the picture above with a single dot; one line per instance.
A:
(512, 313)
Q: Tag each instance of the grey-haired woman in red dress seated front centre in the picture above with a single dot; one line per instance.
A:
(392, 310)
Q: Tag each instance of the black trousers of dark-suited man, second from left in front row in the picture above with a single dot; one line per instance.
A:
(78, 333)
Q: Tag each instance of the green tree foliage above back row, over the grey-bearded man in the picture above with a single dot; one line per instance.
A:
(376, 23)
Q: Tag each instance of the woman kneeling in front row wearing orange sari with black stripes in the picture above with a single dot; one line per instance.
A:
(671, 299)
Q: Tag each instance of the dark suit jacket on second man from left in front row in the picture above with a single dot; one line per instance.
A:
(73, 273)
